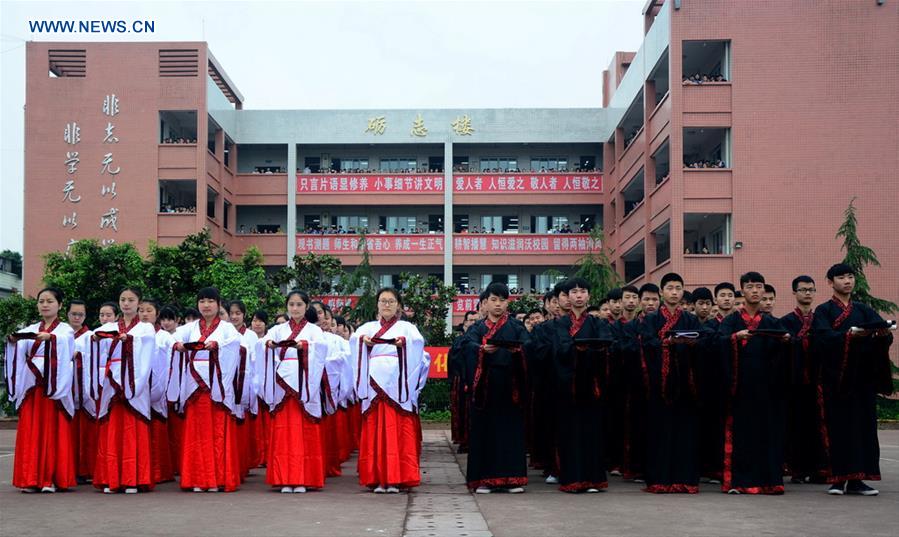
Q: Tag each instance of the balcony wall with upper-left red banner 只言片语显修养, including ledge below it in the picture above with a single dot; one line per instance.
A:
(369, 189)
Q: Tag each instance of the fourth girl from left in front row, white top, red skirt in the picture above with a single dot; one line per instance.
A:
(293, 358)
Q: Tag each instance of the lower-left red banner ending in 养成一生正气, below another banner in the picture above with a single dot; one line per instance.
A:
(349, 244)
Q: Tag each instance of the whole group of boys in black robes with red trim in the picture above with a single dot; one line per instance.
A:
(668, 391)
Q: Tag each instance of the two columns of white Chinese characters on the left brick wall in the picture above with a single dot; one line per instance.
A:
(109, 169)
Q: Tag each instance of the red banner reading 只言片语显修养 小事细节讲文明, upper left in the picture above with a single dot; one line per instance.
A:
(344, 183)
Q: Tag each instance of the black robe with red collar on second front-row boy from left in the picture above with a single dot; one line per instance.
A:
(580, 373)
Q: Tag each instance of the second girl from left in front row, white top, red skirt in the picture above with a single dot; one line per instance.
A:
(121, 360)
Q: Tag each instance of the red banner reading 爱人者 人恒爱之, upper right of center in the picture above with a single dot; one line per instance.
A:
(529, 182)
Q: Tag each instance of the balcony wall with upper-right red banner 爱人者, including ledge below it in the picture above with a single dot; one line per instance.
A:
(527, 188)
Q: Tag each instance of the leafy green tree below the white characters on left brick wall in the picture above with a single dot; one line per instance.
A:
(94, 273)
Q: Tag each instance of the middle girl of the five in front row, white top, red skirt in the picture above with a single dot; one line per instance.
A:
(208, 357)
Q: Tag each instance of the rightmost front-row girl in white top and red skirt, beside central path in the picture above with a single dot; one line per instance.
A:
(387, 356)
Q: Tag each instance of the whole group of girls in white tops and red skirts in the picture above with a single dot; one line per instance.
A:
(148, 395)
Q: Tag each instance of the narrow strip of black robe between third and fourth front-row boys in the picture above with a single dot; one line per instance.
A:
(712, 390)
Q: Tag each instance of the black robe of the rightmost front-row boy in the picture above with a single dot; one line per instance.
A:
(853, 371)
